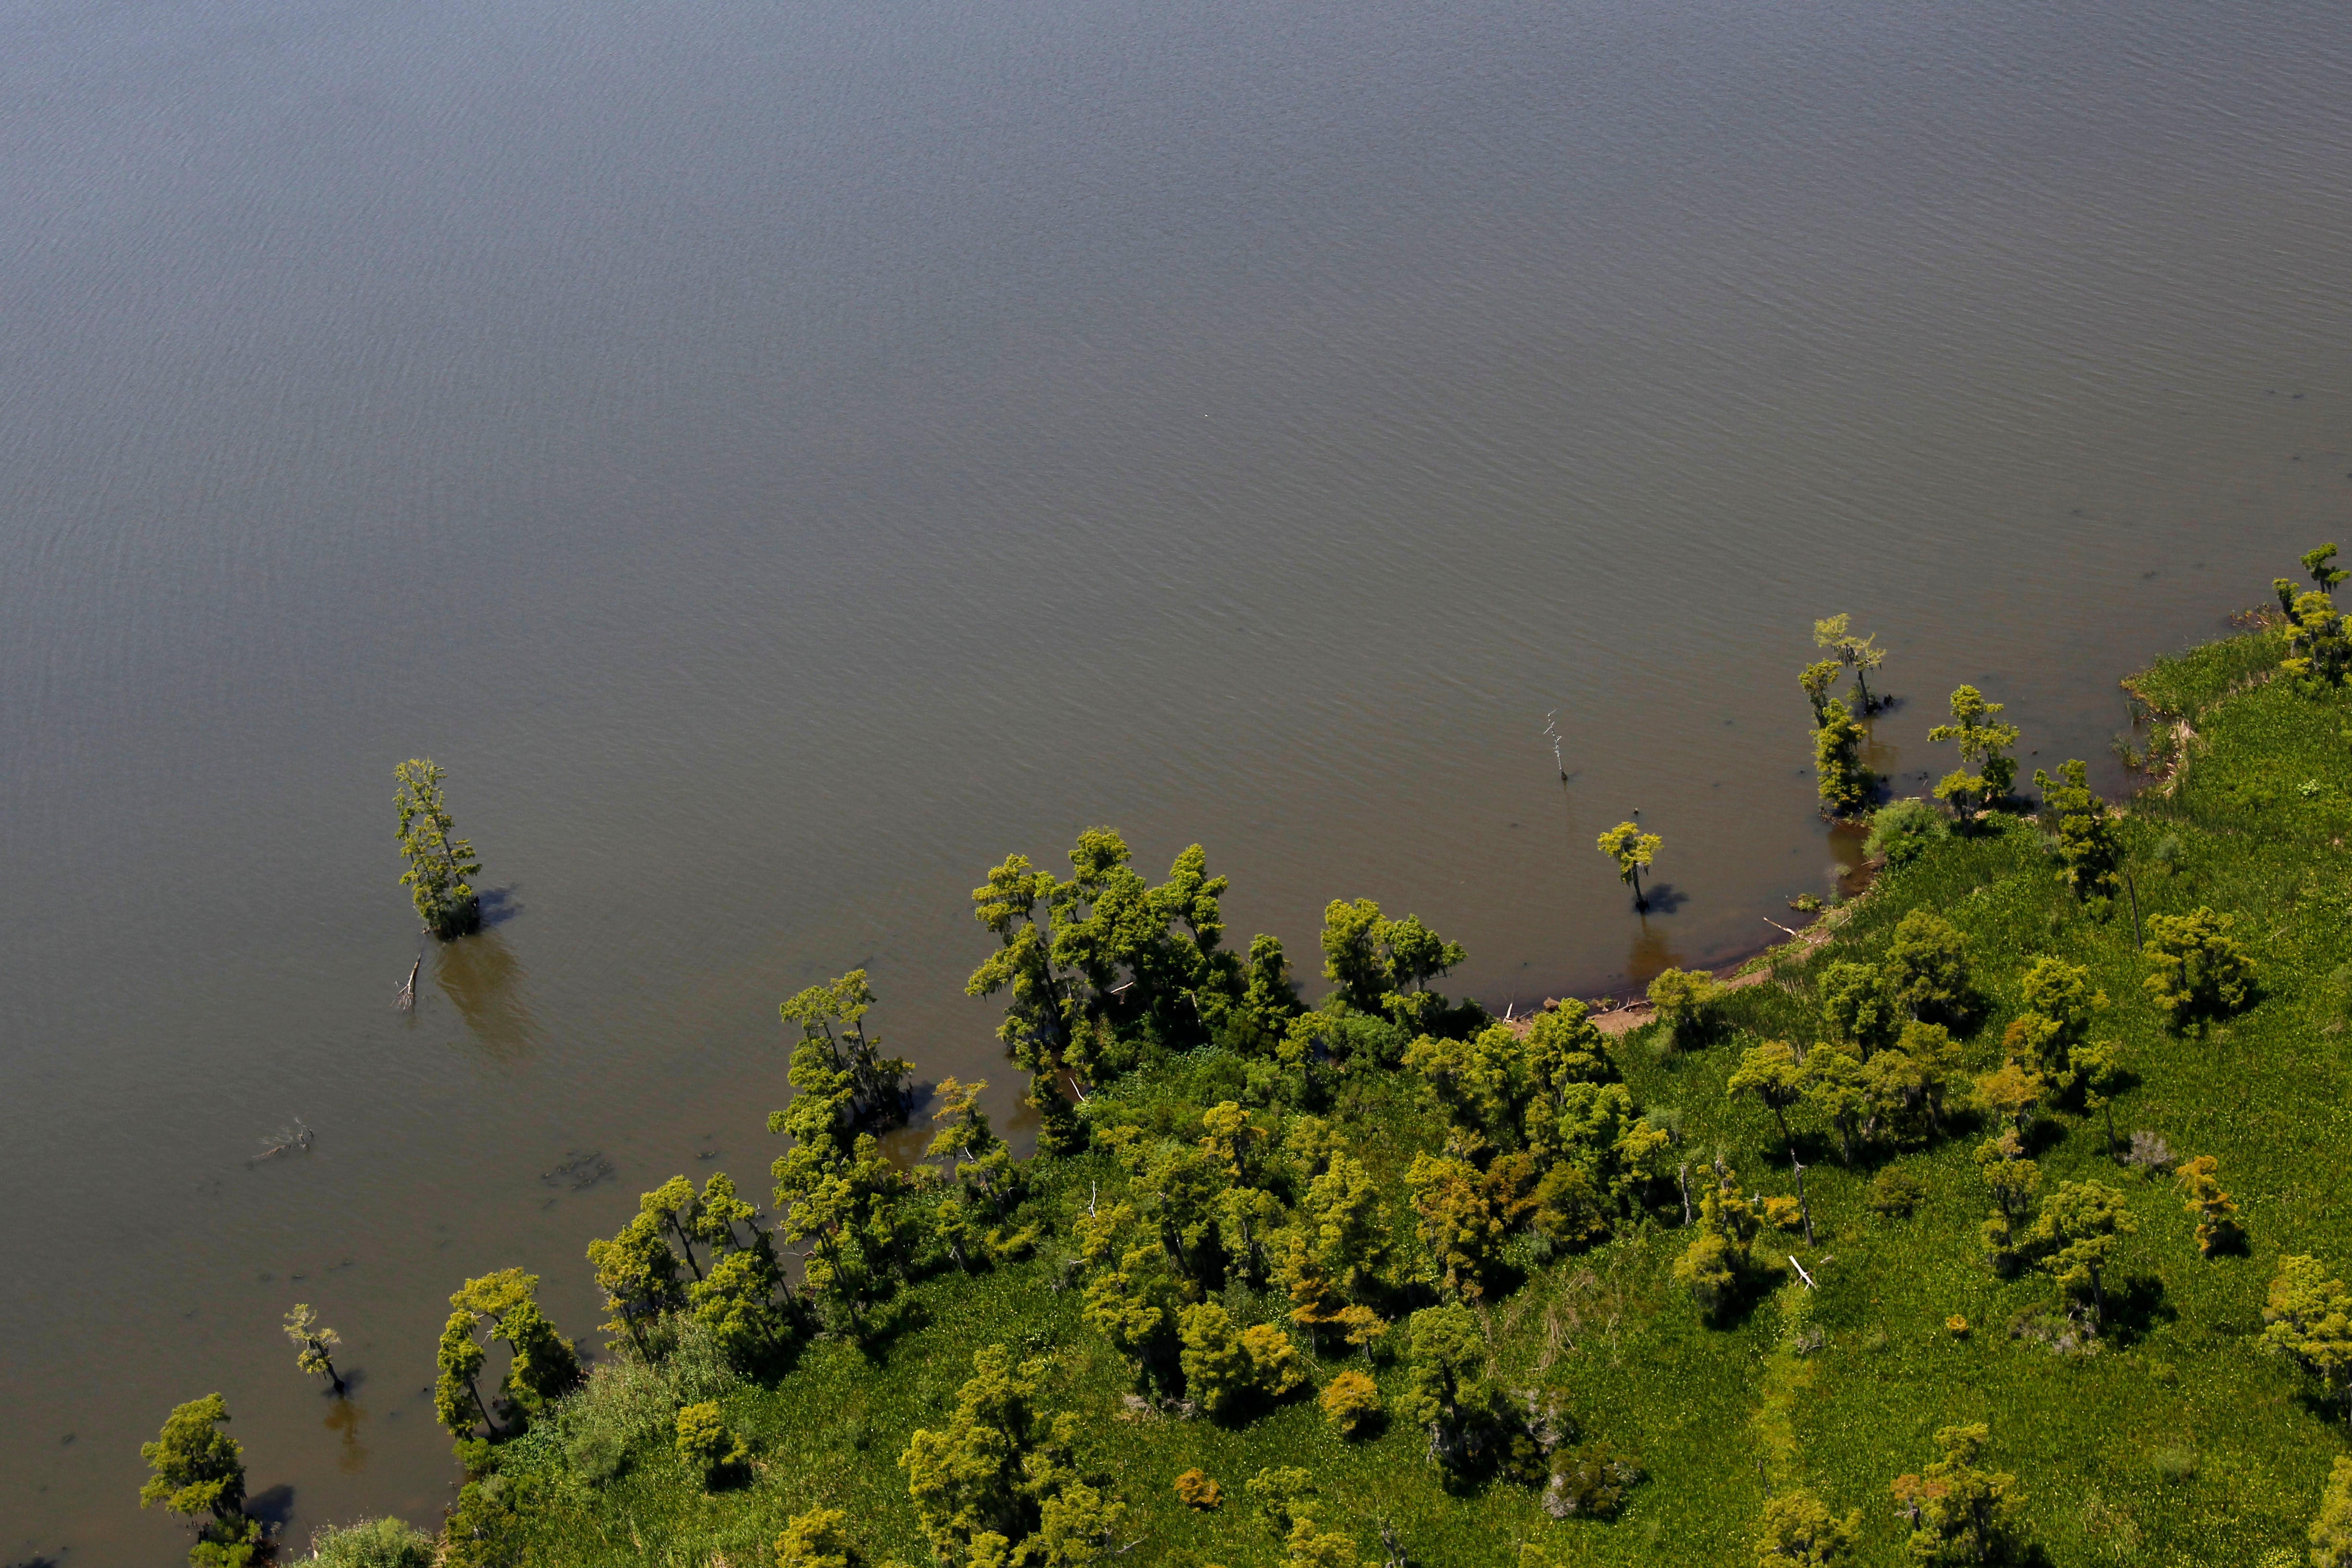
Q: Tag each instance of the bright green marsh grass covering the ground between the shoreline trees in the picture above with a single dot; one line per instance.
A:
(2177, 1442)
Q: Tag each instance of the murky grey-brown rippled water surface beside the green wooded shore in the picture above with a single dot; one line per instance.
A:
(787, 457)
